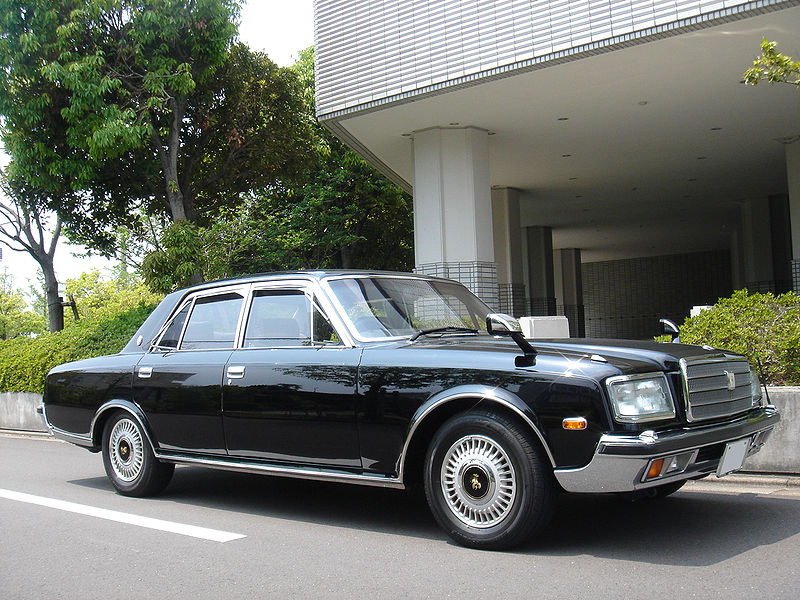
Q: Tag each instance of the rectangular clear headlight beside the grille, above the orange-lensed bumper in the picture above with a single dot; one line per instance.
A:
(639, 398)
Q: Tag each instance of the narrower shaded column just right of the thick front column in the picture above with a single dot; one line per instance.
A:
(508, 251)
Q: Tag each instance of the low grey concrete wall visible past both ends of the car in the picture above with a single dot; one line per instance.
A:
(780, 455)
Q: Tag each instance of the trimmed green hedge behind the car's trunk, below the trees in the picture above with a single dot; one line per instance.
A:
(24, 362)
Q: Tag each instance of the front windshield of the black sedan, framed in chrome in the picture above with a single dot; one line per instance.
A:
(384, 307)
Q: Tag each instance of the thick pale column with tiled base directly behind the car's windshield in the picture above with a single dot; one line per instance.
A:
(453, 234)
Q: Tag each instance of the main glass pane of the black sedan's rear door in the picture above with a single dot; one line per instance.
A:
(212, 323)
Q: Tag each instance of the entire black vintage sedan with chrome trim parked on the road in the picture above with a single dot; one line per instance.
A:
(394, 379)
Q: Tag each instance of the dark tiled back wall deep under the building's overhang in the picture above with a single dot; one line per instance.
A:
(626, 298)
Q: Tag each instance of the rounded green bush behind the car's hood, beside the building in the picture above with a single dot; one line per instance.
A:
(763, 327)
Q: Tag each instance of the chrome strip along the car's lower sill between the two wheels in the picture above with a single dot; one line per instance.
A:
(317, 474)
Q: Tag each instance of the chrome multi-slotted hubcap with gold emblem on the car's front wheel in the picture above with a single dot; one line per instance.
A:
(478, 481)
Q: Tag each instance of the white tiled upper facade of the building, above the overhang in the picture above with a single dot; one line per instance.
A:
(368, 52)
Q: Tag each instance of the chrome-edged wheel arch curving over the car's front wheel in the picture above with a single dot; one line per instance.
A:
(440, 407)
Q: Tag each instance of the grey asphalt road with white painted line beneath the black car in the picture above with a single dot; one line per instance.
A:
(295, 539)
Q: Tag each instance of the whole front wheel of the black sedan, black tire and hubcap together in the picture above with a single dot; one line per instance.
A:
(487, 482)
